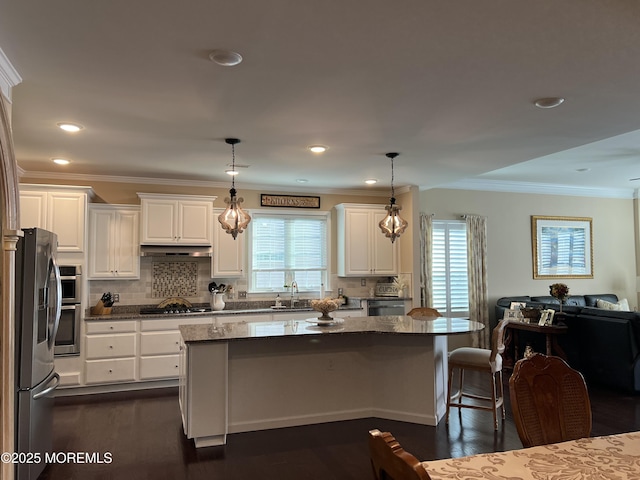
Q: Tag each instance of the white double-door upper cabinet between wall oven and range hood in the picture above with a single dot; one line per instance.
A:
(114, 246)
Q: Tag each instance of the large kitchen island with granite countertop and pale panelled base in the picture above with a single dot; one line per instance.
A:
(239, 377)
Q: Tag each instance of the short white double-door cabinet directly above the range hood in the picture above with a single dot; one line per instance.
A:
(175, 219)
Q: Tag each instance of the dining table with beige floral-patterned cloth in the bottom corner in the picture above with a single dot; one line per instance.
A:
(608, 457)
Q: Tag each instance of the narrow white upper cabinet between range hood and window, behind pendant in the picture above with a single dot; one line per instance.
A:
(228, 254)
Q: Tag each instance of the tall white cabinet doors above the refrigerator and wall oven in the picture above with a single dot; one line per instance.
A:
(60, 209)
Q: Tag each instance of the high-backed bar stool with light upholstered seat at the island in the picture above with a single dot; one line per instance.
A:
(484, 360)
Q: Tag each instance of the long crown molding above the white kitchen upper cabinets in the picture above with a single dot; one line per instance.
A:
(85, 178)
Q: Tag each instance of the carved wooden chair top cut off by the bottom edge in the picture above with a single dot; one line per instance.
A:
(389, 460)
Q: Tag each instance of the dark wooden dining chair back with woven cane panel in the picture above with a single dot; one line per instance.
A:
(549, 400)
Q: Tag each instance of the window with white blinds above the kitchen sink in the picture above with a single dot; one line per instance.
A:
(287, 247)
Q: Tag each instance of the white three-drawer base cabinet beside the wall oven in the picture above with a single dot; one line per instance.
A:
(110, 351)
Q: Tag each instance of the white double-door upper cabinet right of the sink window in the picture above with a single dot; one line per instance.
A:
(363, 250)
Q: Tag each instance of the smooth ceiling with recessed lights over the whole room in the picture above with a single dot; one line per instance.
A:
(448, 85)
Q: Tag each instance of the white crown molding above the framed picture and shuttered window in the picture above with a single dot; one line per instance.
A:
(540, 188)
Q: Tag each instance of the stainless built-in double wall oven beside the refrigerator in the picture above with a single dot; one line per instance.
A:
(68, 337)
